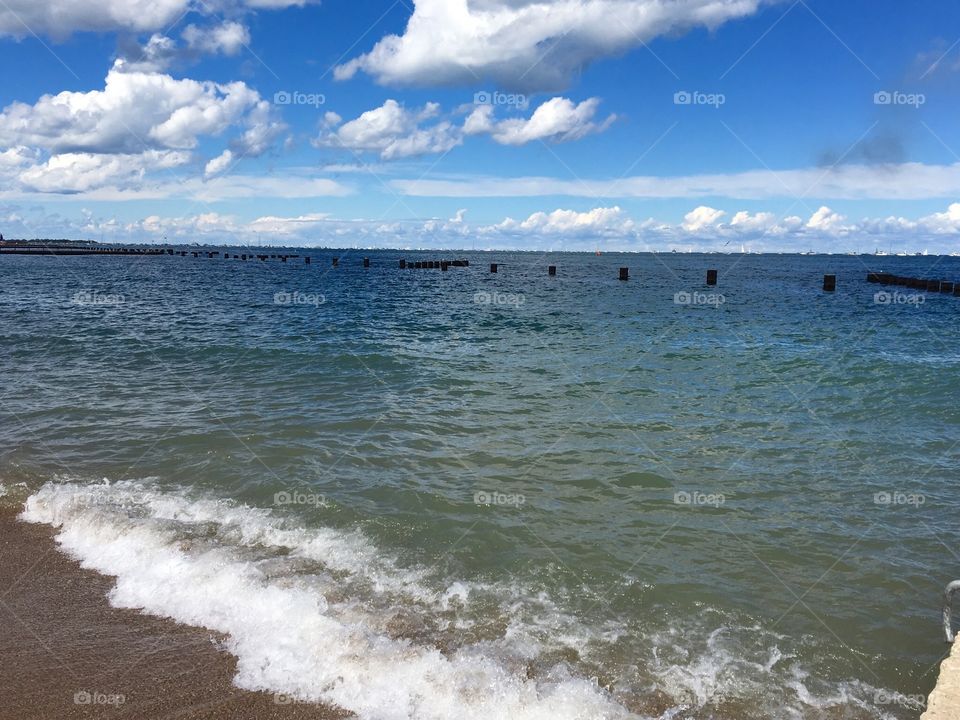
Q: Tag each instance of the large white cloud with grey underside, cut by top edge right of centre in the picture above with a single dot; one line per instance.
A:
(527, 45)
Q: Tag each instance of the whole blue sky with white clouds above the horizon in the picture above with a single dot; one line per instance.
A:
(711, 125)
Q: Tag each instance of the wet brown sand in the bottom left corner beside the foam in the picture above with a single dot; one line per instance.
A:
(65, 653)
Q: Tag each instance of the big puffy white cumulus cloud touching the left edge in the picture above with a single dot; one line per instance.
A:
(139, 123)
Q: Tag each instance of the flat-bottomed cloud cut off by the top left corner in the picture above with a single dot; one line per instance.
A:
(21, 18)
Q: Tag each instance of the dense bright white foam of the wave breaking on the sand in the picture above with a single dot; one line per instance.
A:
(283, 634)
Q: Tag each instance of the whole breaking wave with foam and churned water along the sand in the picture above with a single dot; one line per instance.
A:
(322, 615)
